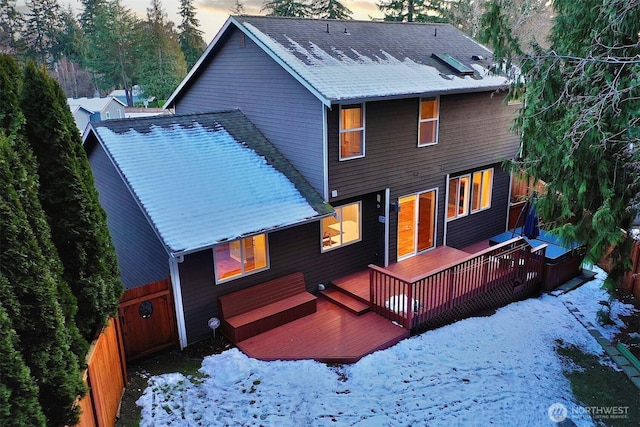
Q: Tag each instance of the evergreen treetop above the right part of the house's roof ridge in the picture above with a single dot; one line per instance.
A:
(413, 10)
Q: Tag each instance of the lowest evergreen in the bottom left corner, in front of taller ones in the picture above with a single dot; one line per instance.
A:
(19, 404)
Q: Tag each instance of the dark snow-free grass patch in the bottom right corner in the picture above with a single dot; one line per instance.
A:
(608, 395)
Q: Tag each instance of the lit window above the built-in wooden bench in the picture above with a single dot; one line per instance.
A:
(241, 257)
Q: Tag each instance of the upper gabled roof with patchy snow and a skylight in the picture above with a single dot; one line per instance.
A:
(341, 60)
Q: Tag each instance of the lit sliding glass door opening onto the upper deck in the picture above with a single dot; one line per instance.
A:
(416, 223)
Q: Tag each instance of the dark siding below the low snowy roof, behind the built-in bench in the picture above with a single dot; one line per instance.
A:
(290, 250)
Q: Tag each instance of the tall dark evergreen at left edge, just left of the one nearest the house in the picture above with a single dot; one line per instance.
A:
(37, 317)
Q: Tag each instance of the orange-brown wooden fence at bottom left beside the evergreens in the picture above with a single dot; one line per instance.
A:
(105, 377)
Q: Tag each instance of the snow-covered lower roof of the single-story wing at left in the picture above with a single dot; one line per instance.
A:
(207, 178)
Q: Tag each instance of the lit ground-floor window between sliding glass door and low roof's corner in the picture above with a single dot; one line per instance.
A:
(342, 228)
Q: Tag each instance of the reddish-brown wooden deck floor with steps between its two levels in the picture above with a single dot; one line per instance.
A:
(335, 334)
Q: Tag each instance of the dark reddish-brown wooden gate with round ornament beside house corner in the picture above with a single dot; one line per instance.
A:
(148, 319)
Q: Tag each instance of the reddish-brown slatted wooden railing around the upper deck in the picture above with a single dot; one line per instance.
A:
(414, 301)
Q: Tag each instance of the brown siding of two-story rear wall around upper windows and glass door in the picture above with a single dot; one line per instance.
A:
(474, 134)
